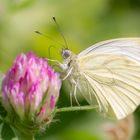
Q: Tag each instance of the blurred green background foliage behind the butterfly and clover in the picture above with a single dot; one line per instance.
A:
(83, 24)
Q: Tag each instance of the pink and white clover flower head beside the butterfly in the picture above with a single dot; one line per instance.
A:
(30, 90)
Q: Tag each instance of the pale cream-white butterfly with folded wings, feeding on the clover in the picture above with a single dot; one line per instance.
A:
(108, 73)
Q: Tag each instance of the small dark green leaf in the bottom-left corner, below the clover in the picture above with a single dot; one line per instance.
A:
(7, 133)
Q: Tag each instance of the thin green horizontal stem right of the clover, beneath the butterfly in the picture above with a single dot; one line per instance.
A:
(76, 108)
